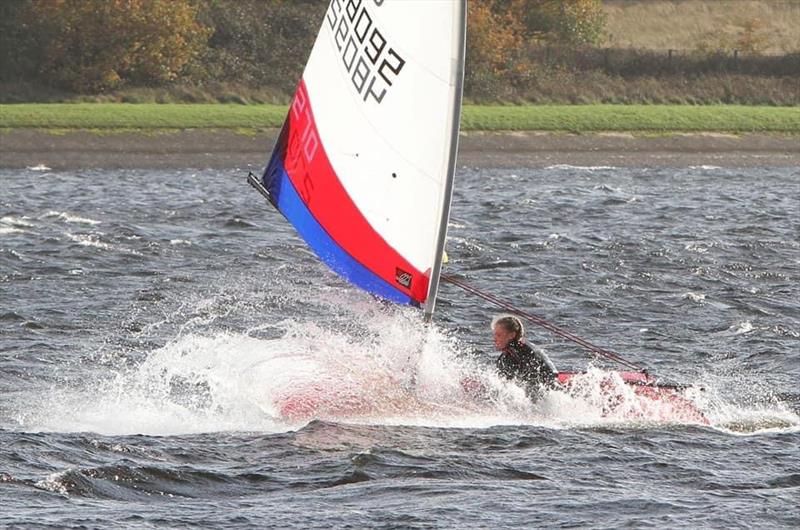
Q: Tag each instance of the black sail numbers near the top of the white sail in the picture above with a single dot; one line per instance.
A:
(371, 64)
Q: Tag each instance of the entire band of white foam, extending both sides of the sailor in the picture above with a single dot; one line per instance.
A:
(376, 366)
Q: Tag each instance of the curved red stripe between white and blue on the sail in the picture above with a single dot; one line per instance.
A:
(315, 180)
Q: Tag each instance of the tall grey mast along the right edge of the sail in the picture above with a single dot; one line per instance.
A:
(455, 118)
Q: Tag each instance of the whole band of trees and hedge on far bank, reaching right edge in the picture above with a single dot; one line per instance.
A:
(542, 51)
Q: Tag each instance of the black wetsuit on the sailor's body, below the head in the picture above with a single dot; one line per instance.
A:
(530, 367)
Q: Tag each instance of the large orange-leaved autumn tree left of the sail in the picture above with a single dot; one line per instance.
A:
(94, 45)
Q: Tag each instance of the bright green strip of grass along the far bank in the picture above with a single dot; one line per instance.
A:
(572, 118)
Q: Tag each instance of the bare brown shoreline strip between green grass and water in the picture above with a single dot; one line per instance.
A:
(248, 150)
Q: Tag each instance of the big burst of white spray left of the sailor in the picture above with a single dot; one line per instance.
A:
(394, 371)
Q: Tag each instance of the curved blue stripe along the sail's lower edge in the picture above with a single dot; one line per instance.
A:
(286, 199)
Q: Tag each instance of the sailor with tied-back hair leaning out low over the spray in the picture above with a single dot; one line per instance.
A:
(528, 366)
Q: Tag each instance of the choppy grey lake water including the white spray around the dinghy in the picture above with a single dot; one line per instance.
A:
(152, 322)
